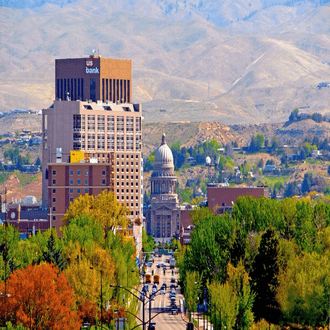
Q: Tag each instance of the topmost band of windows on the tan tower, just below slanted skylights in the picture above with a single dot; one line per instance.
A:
(79, 124)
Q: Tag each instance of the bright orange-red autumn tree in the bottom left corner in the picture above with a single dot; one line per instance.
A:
(40, 298)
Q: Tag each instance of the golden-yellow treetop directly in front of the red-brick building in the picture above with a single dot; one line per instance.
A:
(103, 208)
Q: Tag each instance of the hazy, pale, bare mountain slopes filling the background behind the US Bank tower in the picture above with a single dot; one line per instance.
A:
(243, 61)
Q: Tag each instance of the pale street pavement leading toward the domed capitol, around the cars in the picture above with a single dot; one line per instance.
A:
(162, 302)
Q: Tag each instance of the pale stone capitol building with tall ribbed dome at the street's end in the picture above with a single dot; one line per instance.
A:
(163, 215)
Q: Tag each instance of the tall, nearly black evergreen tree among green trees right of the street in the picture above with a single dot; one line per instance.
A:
(264, 273)
